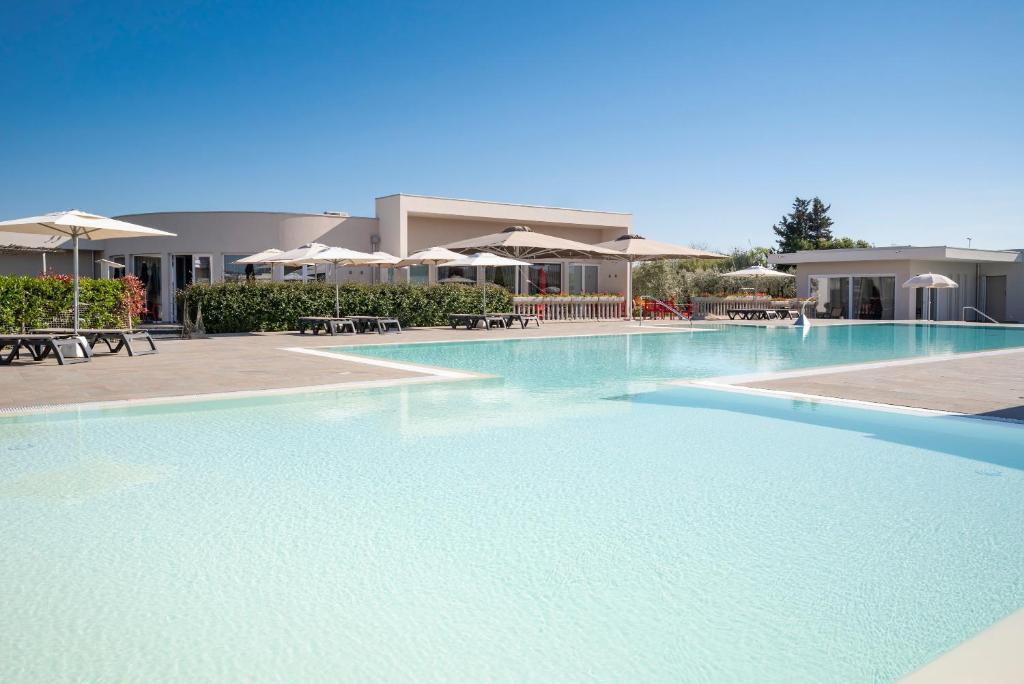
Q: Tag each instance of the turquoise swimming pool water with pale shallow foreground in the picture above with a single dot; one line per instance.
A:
(568, 521)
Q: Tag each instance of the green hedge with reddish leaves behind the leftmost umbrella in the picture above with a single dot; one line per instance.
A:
(32, 303)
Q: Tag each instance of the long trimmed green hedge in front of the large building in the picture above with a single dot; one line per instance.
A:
(245, 308)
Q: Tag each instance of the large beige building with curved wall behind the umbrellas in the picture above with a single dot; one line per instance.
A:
(207, 244)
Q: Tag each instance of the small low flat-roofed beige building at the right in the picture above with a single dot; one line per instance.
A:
(867, 283)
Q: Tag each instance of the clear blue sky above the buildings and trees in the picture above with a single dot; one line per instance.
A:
(703, 119)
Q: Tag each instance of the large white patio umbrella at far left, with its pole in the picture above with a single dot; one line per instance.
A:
(77, 225)
